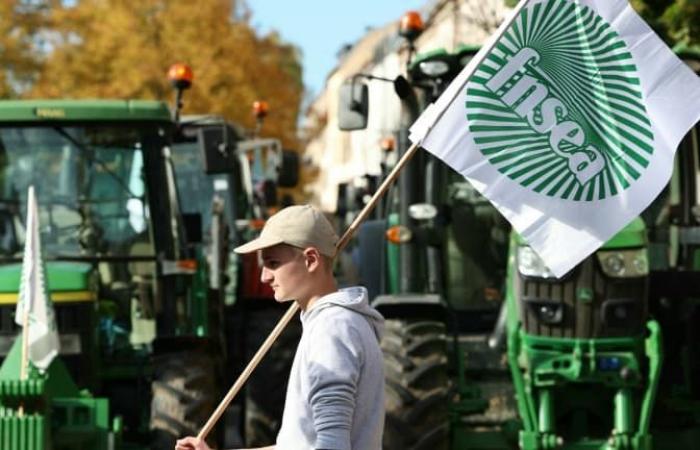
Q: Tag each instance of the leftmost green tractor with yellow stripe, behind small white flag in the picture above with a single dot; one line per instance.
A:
(140, 325)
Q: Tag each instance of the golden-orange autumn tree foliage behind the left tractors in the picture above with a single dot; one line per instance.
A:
(123, 48)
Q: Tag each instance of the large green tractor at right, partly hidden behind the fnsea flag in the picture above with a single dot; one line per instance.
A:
(585, 353)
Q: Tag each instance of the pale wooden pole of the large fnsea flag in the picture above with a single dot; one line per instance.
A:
(265, 347)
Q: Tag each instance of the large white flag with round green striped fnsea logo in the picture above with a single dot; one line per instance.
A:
(569, 125)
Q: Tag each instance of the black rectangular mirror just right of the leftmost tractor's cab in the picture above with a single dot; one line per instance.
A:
(217, 145)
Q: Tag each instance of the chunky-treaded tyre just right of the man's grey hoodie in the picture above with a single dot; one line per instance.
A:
(417, 385)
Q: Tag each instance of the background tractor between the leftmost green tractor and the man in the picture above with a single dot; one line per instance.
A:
(238, 193)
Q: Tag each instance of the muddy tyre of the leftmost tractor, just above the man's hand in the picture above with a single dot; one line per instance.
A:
(185, 391)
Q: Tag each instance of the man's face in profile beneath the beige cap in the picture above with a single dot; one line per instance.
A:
(285, 270)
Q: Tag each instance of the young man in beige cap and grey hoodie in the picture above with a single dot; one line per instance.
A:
(335, 396)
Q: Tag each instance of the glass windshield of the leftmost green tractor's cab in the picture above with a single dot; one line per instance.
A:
(89, 185)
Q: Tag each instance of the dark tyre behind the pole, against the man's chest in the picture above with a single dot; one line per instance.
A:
(267, 387)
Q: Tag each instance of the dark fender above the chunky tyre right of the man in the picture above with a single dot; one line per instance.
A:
(409, 306)
